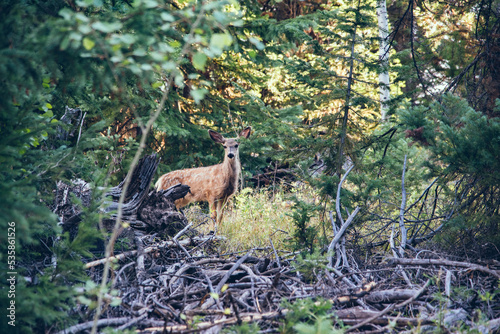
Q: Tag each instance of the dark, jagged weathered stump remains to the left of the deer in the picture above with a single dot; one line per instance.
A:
(144, 209)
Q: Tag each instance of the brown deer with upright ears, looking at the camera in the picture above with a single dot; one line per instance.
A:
(212, 184)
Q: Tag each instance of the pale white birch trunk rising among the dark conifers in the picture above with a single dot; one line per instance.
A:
(383, 30)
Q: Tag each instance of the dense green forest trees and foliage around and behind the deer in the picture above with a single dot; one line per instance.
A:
(90, 86)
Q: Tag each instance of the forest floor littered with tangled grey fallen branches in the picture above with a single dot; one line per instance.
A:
(185, 285)
